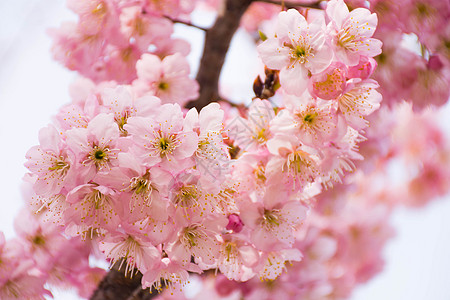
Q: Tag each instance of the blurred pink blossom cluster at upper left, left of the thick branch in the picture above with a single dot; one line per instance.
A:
(111, 36)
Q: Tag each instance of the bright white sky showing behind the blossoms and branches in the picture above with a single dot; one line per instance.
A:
(33, 87)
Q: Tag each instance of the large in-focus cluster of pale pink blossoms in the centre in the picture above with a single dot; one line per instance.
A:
(155, 185)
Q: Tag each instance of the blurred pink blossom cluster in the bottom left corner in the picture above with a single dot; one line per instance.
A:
(42, 254)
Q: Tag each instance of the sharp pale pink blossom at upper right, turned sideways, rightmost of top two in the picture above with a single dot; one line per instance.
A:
(352, 32)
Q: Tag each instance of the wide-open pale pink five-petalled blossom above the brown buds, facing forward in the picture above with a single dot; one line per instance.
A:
(298, 49)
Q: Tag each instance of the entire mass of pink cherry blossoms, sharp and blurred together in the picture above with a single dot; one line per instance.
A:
(127, 173)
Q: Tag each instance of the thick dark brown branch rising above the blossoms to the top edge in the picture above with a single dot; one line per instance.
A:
(217, 42)
